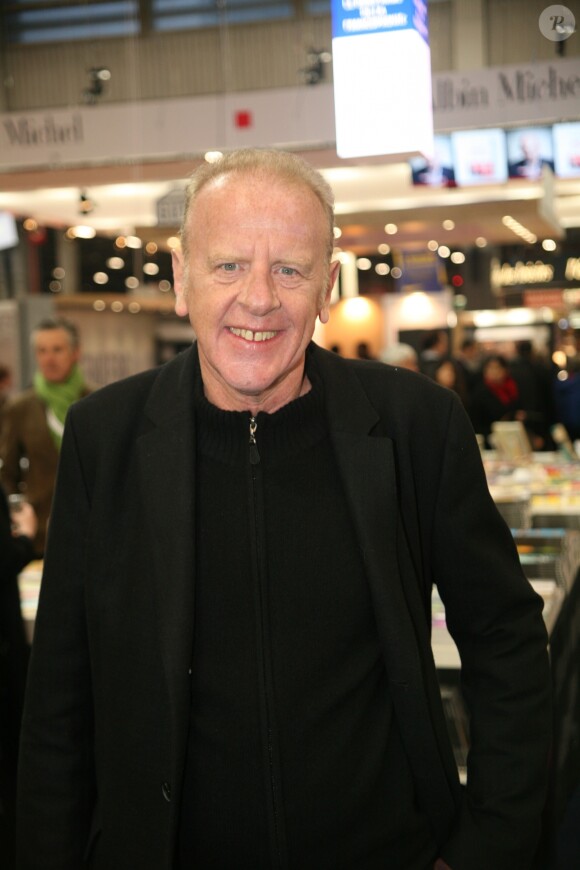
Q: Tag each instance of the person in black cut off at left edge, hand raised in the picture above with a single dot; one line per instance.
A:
(17, 530)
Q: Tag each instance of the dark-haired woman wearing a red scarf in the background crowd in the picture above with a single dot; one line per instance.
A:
(495, 399)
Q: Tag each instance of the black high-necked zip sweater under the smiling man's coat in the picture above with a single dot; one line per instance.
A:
(294, 760)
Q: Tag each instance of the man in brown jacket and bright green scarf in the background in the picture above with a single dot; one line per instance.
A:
(31, 434)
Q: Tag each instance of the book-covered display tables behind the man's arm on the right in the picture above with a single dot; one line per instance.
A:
(539, 497)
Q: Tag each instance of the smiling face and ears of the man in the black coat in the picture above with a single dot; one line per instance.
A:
(257, 277)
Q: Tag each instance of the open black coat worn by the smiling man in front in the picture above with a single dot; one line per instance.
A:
(106, 720)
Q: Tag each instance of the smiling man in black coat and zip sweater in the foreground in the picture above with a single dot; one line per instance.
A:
(232, 666)
